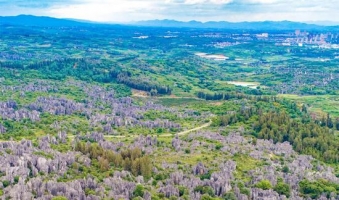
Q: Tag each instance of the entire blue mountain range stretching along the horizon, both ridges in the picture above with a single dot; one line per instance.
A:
(29, 20)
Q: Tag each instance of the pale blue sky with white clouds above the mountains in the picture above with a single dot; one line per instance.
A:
(185, 10)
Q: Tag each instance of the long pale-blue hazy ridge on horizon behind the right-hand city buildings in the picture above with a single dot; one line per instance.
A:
(266, 25)
